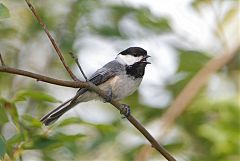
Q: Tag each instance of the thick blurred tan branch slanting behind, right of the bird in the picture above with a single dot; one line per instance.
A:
(188, 93)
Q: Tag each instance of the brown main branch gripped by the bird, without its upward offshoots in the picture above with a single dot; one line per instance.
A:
(92, 87)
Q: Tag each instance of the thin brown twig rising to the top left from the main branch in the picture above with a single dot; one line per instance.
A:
(57, 49)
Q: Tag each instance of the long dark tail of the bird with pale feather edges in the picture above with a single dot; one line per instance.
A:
(53, 115)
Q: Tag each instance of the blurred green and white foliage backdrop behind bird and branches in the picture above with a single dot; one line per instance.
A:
(180, 35)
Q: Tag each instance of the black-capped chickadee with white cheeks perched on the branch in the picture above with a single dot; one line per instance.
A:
(119, 78)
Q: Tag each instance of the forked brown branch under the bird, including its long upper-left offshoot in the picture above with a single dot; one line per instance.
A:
(79, 84)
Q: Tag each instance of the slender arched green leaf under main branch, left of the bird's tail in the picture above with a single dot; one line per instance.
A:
(35, 95)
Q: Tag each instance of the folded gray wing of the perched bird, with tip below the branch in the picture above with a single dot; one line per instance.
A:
(108, 71)
